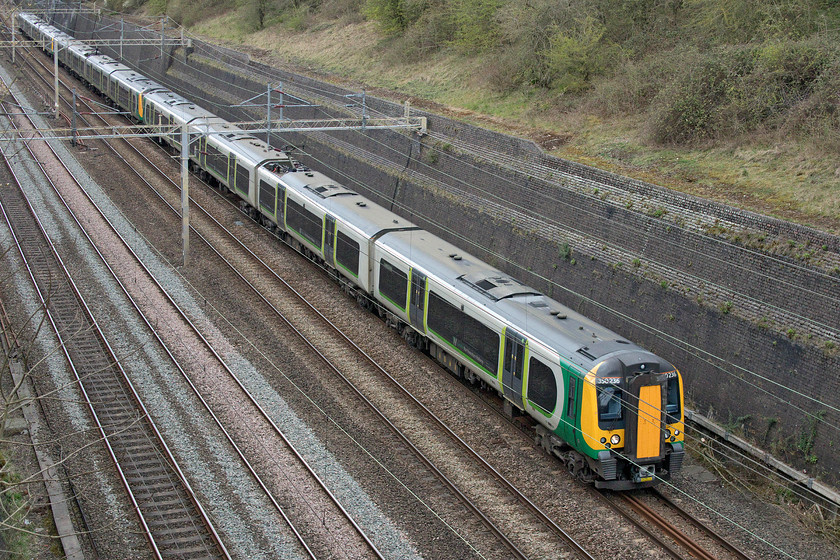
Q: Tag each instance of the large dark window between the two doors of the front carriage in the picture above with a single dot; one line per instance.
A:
(469, 335)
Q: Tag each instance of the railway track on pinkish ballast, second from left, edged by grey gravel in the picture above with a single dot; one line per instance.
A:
(326, 514)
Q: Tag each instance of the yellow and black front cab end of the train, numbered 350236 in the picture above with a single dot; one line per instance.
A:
(632, 421)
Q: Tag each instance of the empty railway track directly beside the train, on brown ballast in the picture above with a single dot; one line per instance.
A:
(260, 269)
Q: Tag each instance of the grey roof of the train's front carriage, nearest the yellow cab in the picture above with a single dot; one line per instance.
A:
(545, 320)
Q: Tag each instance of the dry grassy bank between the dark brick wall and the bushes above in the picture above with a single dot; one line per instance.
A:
(765, 173)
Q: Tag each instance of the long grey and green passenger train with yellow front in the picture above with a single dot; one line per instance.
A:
(610, 410)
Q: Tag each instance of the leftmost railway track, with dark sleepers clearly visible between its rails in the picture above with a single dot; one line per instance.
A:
(173, 521)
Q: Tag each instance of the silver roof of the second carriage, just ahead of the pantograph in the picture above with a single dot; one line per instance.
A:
(345, 204)
